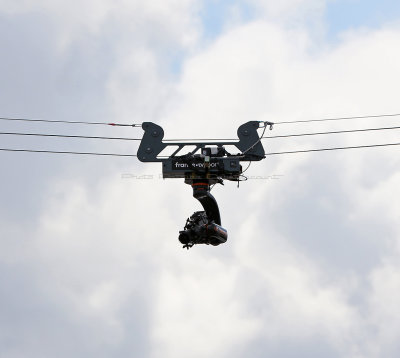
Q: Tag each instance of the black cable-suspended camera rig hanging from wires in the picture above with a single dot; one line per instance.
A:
(207, 164)
